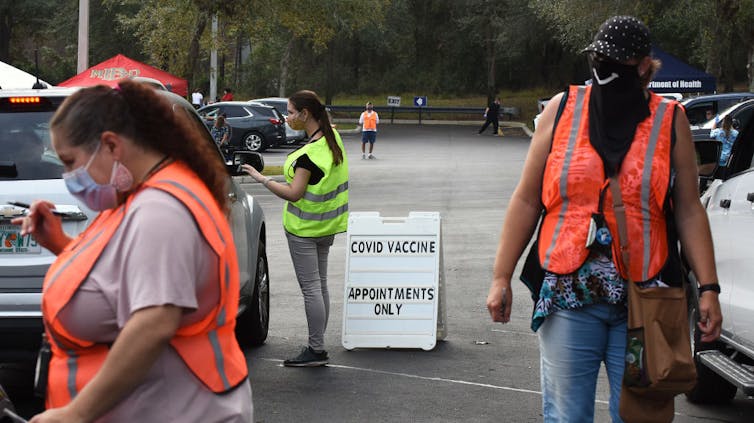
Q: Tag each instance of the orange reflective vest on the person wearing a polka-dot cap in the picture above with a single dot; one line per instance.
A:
(574, 178)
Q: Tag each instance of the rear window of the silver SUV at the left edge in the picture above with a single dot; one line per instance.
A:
(25, 151)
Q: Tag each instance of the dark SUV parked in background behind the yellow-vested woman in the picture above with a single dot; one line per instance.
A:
(253, 127)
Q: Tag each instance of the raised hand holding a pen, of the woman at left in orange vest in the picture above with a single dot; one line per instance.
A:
(45, 227)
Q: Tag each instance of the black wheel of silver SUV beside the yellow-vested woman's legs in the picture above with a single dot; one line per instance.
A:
(252, 325)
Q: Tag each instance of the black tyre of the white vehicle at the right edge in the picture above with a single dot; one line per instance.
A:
(710, 387)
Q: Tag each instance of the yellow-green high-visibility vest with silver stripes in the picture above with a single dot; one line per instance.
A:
(323, 210)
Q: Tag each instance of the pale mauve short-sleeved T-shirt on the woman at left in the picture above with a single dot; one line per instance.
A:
(157, 256)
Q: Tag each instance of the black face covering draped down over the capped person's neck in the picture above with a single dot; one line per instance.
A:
(616, 106)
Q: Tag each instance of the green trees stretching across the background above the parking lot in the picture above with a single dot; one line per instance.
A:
(356, 48)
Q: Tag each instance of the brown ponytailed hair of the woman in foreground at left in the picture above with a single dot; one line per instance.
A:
(136, 111)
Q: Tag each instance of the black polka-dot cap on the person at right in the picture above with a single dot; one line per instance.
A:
(621, 38)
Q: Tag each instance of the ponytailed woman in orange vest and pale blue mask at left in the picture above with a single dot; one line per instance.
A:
(140, 333)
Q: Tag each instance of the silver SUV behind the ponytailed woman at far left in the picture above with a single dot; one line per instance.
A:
(30, 170)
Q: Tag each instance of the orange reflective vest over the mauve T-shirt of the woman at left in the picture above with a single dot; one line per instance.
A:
(208, 347)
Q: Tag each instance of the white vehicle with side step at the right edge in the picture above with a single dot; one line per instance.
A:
(727, 365)
